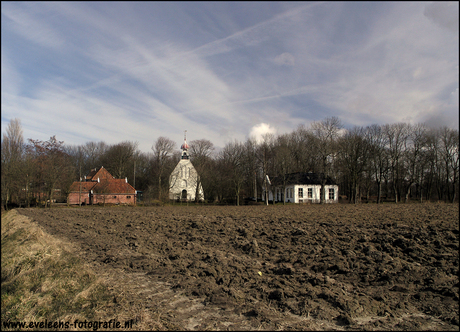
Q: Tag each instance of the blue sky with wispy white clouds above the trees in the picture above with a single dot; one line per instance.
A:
(224, 71)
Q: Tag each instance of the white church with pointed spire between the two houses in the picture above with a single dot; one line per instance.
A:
(183, 180)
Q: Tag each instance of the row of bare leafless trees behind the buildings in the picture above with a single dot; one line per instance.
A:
(397, 162)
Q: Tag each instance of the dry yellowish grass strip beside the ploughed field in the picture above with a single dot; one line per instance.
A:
(42, 279)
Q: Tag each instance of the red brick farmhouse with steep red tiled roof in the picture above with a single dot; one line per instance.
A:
(100, 187)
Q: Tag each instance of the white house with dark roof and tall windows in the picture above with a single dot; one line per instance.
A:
(302, 188)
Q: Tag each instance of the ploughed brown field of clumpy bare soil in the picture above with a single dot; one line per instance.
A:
(307, 267)
